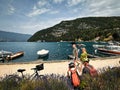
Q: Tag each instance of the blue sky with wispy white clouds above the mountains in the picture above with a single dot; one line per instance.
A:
(30, 16)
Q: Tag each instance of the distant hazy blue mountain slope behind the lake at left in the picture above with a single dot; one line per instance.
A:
(13, 37)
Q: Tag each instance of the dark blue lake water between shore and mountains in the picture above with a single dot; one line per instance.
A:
(57, 50)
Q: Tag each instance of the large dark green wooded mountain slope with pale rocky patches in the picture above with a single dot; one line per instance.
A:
(89, 28)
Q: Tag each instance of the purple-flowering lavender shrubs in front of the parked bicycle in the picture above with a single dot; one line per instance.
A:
(48, 82)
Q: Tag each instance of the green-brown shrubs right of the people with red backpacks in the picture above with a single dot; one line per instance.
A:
(108, 80)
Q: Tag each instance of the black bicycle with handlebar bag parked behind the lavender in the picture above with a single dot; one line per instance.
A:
(35, 76)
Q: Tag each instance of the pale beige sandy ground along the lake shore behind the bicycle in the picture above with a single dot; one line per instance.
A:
(55, 67)
